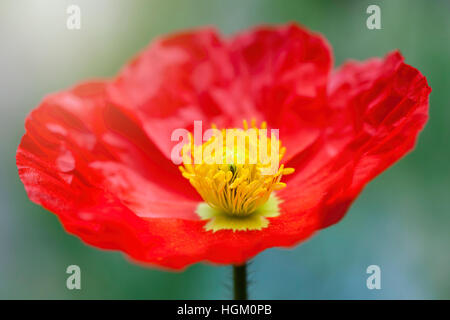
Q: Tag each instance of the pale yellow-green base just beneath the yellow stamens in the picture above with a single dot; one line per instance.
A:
(219, 220)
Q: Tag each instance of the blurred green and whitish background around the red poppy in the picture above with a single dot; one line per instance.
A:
(401, 222)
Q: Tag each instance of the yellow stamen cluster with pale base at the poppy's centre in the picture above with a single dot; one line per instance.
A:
(235, 172)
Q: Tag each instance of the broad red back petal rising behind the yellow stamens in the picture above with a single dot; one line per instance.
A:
(278, 74)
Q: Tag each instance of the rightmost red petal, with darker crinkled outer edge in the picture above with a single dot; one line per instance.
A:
(379, 107)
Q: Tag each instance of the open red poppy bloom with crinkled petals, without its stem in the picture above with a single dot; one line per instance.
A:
(99, 155)
